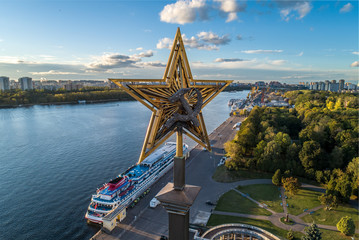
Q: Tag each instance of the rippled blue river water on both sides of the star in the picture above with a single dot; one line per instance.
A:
(52, 159)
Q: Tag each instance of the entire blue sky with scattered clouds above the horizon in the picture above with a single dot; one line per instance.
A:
(287, 41)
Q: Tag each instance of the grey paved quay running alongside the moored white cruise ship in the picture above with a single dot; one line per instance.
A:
(142, 222)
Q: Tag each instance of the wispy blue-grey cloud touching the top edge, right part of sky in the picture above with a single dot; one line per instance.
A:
(290, 9)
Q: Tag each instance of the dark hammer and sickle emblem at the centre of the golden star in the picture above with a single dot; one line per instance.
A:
(191, 113)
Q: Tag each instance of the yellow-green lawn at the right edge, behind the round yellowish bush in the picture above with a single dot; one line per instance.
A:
(332, 217)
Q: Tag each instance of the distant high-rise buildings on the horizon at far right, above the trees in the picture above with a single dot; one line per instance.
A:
(332, 86)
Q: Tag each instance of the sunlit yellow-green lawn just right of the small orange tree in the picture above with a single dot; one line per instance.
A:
(304, 199)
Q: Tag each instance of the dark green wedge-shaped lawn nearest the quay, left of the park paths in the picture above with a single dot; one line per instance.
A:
(233, 202)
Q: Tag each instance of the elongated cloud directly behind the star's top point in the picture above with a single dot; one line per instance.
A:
(203, 41)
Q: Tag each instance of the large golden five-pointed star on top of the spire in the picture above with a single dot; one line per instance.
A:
(156, 95)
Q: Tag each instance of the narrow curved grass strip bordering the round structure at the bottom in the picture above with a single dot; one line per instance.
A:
(215, 220)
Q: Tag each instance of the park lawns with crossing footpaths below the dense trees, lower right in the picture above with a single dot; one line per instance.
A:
(246, 204)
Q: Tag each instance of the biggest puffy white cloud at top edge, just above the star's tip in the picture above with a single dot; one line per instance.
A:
(182, 11)
